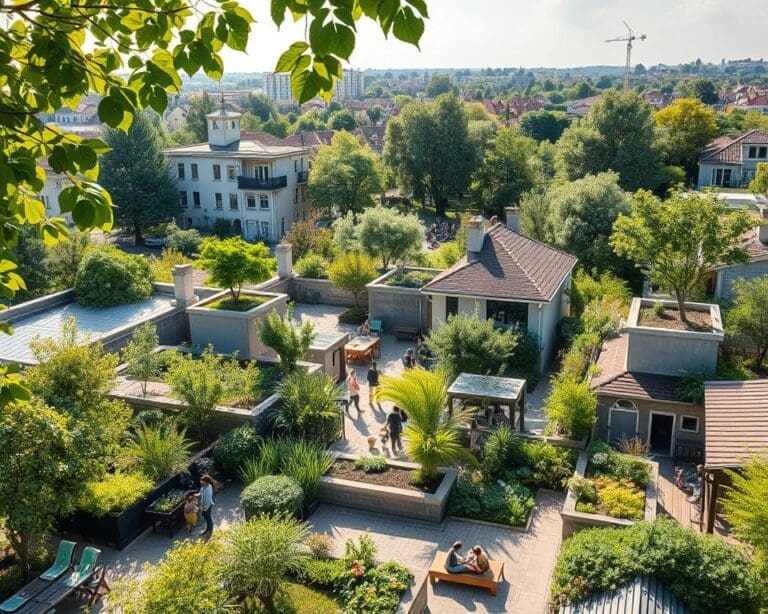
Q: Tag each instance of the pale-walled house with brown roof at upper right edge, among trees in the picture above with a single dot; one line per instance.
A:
(730, 161)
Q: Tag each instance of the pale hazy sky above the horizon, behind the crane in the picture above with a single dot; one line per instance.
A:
(532, 33)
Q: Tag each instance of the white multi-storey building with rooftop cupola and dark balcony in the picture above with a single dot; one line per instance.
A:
(259, 189)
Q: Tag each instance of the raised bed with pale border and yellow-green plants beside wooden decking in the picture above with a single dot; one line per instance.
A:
(579, 515)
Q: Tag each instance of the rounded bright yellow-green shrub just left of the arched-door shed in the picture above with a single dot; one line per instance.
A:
(571, 407)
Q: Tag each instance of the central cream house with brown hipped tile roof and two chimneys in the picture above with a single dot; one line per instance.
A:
(514, 280)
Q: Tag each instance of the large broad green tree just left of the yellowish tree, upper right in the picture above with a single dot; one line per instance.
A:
(618, 134)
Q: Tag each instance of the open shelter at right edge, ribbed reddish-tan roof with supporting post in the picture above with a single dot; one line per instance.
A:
(736, 425)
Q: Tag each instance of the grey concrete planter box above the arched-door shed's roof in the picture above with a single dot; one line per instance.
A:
(669, 352)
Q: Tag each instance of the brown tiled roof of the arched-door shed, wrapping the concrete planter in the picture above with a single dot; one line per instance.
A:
(614, 380)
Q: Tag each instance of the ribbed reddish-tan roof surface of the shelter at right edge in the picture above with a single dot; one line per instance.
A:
(737, 421)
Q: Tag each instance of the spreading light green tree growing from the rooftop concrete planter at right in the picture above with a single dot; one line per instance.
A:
(679, 241)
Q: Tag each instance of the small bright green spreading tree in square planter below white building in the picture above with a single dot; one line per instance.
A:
(233, 262)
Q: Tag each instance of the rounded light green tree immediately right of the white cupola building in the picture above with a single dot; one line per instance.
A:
(345, 174)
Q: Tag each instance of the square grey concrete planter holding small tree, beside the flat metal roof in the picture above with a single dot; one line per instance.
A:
(233, 331)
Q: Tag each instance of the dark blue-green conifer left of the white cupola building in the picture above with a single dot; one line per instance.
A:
(137, 175)
